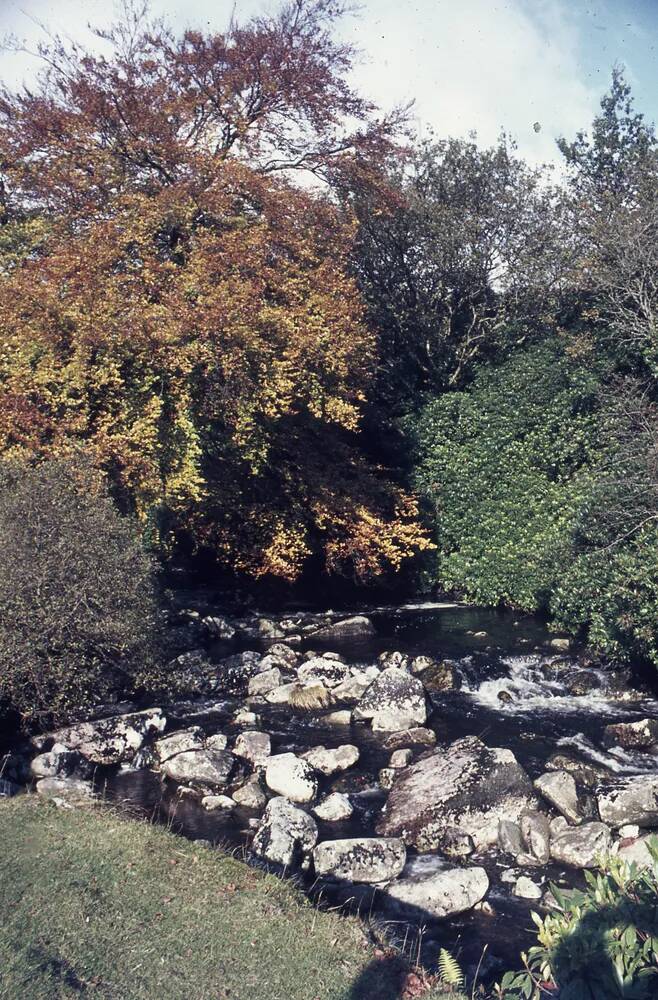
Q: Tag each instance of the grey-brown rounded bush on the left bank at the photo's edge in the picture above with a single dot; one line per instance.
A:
(77, 593)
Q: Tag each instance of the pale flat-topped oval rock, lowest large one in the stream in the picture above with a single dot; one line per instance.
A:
(443, 894)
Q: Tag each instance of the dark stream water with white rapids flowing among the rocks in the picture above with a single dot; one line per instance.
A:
(495, 653)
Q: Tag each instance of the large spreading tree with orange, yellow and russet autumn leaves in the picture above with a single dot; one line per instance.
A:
(170, 298)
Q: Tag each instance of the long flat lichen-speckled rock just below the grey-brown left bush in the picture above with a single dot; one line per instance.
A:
(112, 741)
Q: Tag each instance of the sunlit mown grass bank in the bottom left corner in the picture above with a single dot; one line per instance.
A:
(95, 905)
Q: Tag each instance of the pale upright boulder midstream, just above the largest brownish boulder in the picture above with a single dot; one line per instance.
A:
(395, 700)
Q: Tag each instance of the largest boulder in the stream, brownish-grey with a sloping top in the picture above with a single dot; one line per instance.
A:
(468, 786)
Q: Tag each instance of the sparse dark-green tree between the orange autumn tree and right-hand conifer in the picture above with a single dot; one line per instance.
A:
(460, 254)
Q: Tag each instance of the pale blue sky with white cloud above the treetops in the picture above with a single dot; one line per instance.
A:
(470, 65)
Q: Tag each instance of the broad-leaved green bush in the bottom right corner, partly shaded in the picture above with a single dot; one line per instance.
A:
(601, 944)
